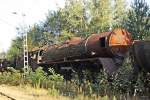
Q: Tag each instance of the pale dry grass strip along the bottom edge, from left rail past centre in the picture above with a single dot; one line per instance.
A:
(29, 93)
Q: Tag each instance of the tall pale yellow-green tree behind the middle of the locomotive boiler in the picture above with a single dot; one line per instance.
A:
(77, 16)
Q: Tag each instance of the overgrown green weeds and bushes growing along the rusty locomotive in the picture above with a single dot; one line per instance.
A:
(104, 89)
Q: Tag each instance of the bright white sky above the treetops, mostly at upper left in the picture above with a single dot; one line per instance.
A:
(35, 11)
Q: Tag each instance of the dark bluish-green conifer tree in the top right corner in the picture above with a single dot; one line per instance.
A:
(138, 21)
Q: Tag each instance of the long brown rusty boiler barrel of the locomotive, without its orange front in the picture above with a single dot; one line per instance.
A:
(81, 48)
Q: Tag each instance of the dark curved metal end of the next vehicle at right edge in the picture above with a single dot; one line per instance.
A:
(141, 52)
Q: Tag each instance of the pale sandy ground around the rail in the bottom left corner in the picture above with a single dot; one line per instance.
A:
(26, 93)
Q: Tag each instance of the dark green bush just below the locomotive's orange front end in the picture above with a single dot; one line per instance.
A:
(121, 81)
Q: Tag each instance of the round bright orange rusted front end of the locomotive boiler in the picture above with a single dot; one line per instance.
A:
(119, 41)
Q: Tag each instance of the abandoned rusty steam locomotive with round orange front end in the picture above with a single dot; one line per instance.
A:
(106, 50)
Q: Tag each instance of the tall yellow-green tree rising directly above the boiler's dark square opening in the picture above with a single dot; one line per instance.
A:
(101, 15)
